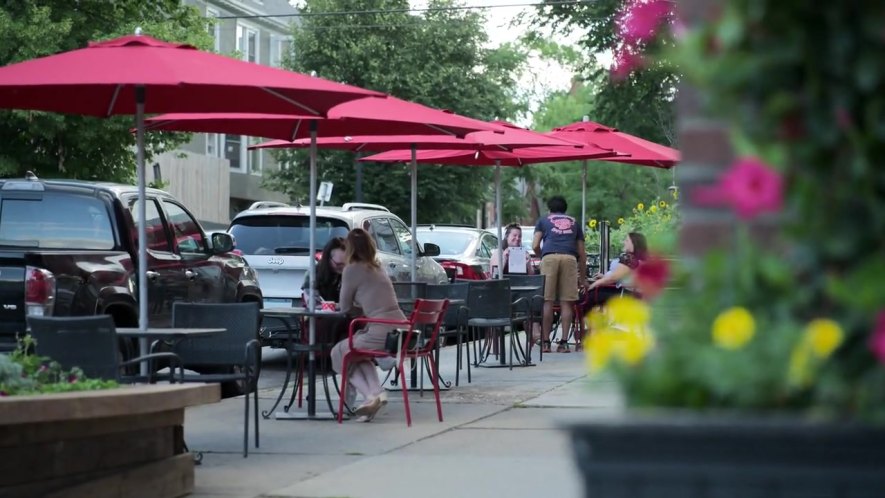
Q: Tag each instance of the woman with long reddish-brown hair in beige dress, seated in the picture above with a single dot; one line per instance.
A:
(365, 284)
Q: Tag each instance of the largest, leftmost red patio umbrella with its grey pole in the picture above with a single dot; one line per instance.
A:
(138, 74)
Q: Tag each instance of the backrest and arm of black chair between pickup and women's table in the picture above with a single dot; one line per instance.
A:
(227, 349)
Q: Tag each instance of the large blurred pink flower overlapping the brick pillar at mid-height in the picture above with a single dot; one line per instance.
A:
(750, 187)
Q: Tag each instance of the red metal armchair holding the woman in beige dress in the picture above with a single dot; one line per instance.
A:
(426, 313)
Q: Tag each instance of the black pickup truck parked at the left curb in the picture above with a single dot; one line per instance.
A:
(70, 248)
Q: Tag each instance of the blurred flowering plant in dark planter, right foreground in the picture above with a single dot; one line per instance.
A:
(762, 371)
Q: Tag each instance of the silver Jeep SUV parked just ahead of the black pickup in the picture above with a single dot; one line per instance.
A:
(274, 239)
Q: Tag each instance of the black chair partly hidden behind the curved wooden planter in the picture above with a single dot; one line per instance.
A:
(91, 344)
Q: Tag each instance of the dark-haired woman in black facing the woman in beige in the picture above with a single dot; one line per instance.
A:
(328, 287)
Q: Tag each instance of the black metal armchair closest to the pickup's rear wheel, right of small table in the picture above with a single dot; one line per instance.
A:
(234, 356)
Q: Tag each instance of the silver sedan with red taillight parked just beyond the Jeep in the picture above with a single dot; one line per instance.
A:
(465, 251)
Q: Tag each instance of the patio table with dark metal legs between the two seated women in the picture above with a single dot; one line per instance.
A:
(287, 315)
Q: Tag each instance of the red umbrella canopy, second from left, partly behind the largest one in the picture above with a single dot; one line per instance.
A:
(388, 116)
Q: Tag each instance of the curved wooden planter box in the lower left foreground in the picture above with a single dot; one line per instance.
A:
(125, 442)
